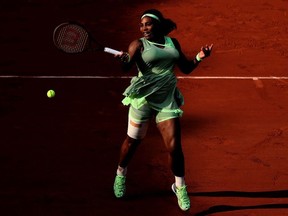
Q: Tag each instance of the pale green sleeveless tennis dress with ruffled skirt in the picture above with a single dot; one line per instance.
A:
(156, 81)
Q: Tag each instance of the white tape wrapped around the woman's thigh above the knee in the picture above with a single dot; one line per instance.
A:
(137, 130)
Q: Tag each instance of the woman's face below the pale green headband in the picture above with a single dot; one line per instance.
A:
(148, 28)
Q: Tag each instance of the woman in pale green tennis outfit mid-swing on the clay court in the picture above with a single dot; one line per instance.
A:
(153, 93)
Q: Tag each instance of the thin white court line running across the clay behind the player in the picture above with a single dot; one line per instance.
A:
(129, 77)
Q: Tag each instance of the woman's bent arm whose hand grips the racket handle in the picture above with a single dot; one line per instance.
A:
(130, 57)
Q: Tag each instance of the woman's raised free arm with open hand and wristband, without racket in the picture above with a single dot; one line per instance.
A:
(187, 66)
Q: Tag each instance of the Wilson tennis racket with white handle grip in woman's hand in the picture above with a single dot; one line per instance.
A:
(72, 37)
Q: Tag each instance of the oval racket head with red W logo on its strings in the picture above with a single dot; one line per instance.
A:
(71, 37)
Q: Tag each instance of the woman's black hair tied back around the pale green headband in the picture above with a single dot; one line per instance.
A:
(166, 25)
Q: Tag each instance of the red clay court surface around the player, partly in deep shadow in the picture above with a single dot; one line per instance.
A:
(58, 156)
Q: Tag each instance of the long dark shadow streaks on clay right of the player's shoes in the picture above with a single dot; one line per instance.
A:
(228, 208)
